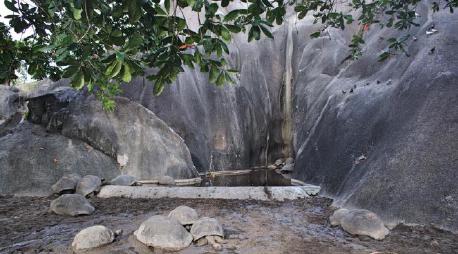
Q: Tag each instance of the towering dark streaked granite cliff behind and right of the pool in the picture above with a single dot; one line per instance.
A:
(374, 135)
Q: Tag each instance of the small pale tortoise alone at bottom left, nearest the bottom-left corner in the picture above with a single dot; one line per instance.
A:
(93, 237)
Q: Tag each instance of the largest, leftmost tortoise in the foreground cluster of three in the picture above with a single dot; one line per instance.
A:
(163, 233)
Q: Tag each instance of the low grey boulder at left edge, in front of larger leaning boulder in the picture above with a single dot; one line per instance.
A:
(32, 160)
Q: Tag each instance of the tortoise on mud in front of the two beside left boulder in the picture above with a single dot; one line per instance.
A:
(71, 204)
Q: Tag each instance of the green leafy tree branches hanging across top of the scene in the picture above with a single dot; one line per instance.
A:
(100, 44)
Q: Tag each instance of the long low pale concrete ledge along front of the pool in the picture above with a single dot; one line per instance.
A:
(279, 193)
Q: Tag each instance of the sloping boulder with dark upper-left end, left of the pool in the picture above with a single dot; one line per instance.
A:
(141, 143)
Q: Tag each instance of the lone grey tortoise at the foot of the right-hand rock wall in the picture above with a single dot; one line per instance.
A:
(360, 222)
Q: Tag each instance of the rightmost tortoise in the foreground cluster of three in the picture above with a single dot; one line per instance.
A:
(208, 230)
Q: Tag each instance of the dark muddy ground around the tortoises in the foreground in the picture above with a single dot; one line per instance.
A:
(299, 226)
